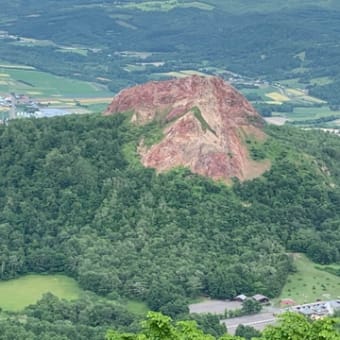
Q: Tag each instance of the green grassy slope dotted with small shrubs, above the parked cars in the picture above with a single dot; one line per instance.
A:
(309, 283)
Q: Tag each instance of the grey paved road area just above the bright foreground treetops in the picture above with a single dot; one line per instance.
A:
(258, 321)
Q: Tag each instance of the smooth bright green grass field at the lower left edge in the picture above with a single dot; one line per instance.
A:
(19, 293)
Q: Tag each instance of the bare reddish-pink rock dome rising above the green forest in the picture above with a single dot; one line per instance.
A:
(205, 124)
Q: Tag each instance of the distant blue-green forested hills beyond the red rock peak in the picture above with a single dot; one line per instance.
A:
(272, 39)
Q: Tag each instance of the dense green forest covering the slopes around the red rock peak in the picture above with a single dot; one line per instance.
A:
(75, 199)
